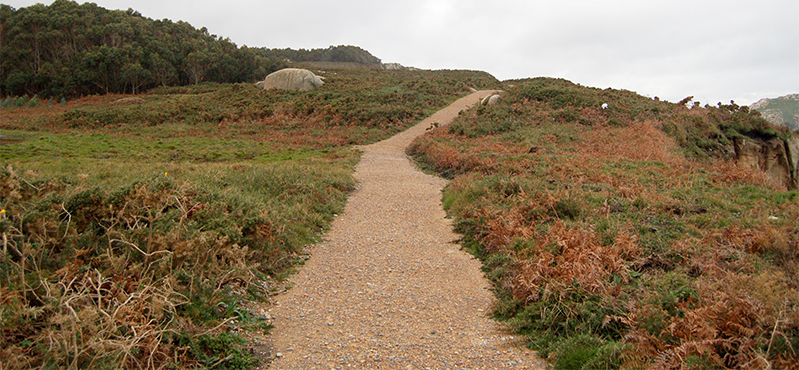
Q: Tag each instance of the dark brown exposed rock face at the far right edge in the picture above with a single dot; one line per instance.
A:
(775, 157)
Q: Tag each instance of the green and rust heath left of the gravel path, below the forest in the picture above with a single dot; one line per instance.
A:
(137, 231)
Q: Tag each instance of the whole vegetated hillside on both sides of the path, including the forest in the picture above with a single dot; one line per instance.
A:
(152, 197)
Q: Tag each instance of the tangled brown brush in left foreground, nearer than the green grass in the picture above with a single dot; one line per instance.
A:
(155, 273)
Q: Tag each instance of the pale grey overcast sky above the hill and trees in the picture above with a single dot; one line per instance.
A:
(715, 50)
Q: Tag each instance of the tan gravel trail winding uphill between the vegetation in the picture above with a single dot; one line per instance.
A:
(389, 288)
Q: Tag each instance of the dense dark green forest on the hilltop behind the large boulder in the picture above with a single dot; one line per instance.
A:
(67, 49)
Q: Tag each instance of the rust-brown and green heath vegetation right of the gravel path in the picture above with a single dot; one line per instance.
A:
(625, 237)
